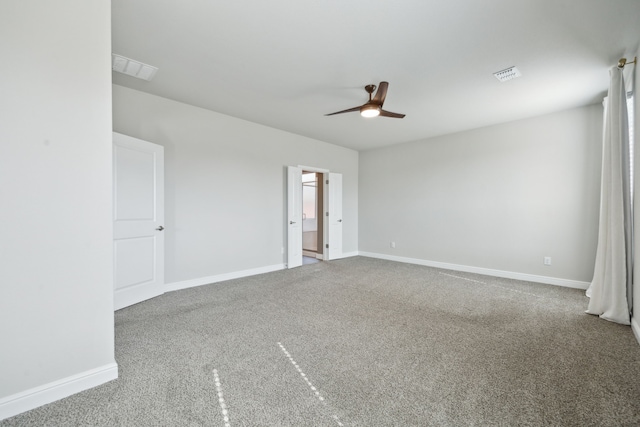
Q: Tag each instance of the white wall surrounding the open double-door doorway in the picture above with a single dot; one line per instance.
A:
(225, 184)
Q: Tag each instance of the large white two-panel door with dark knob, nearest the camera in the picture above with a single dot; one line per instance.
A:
(138, 218)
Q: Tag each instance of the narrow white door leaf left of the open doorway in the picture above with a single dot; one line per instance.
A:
(294, 217)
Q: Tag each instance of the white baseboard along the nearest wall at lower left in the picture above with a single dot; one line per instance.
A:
(56, 390)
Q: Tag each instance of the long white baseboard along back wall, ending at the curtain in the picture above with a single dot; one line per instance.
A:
(486, 271)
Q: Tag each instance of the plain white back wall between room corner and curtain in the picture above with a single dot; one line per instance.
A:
(498, 198)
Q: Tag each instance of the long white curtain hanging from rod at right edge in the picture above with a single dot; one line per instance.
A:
(610, 290)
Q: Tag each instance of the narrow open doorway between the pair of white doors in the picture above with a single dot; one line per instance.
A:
(312, 218)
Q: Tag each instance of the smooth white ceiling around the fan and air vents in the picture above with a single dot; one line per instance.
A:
(287, 63)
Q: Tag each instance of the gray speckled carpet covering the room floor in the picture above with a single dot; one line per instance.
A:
(362, 342)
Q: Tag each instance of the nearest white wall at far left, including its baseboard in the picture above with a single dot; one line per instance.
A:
(56, 303)
